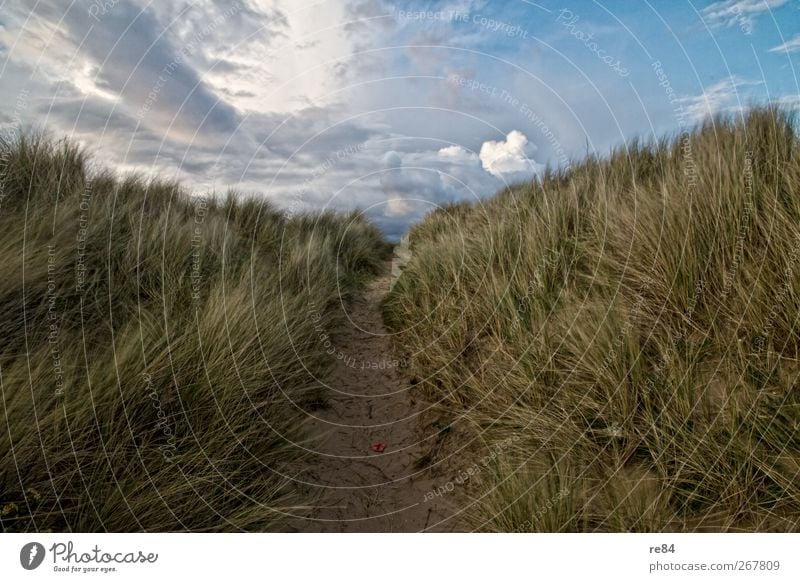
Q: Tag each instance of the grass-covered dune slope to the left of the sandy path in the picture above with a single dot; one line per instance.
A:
(156, 347)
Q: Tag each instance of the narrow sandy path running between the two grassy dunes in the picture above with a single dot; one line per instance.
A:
(372, 400)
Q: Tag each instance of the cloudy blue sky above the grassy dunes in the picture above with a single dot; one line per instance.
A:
(394, 108)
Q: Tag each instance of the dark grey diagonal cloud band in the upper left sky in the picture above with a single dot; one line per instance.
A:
(137, 57)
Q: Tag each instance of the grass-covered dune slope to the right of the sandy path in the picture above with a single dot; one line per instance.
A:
(625, 334)
